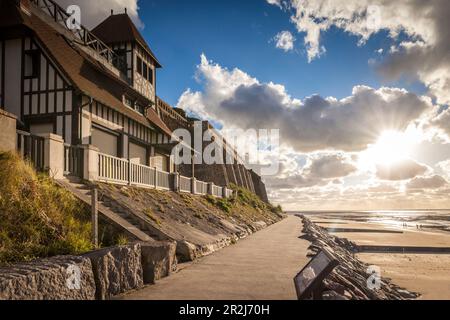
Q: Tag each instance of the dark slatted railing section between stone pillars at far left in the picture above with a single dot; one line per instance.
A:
(31, 148)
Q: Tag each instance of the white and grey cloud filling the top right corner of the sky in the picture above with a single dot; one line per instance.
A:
(425, 54)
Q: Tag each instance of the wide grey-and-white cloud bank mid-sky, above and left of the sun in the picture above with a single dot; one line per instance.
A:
(236, 99)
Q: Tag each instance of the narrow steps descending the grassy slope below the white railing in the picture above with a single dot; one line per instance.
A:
(81, 192)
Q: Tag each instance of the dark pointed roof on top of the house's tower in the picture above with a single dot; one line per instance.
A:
(120, 28)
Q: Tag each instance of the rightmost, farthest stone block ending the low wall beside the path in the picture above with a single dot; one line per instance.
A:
(158, 260)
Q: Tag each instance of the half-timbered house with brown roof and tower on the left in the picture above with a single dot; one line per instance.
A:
(90, 87)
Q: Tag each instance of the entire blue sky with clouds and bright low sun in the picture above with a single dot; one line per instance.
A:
(359, 90)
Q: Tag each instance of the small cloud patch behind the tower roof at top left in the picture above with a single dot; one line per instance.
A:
(94, 12)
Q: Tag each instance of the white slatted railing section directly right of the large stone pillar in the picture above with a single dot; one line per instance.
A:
(112, 169)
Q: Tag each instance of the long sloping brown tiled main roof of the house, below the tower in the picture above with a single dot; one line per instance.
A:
(85, 73)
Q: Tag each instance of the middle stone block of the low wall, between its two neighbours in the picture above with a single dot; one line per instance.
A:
(117, 270)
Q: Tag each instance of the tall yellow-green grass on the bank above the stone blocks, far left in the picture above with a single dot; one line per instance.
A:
(37, 218)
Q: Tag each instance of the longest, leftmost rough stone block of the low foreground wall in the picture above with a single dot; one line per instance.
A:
(58, 278)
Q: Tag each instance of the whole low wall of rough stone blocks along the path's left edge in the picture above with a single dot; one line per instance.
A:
(99, 275)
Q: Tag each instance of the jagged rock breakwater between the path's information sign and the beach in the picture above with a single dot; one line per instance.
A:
(349, 280)
